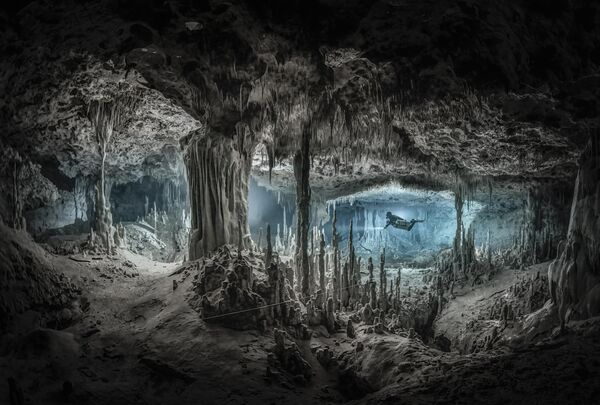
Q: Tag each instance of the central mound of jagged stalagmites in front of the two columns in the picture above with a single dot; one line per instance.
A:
(246, 290)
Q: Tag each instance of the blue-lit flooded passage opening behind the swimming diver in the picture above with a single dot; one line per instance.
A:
(367, 210)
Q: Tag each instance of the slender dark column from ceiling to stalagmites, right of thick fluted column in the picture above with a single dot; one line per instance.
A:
(301, 174)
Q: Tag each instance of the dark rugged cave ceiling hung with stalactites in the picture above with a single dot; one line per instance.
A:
(406, 90)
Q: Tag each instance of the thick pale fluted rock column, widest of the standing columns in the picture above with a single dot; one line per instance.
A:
(218, 168)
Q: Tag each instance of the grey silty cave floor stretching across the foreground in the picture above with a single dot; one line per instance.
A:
(140, 343)
